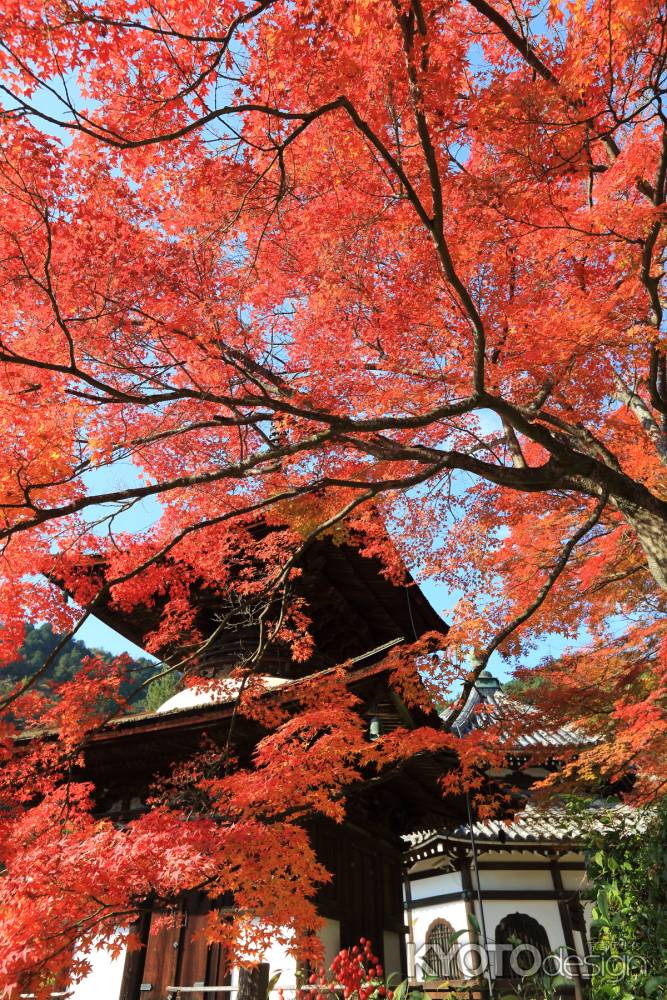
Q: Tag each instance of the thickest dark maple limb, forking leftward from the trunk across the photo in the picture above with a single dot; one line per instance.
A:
(569, 468)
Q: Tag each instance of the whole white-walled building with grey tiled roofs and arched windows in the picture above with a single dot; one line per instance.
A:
(491, 884)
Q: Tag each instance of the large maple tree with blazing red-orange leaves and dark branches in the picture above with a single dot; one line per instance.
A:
(389, 266)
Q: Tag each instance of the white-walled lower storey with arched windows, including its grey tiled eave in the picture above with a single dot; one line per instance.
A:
(519, 882)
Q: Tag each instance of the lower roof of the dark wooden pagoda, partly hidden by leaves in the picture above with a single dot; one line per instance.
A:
(123, 757)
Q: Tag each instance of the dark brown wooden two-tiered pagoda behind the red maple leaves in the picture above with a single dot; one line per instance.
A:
(358, 616)
